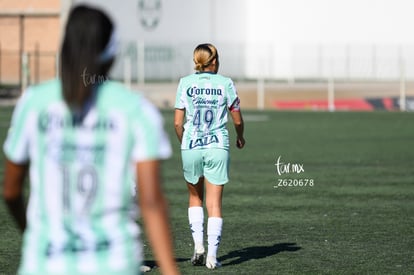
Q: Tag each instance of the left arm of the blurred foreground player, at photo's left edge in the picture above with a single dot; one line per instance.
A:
(14, 176)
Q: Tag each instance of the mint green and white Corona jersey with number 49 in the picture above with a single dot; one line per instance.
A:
(206, 98)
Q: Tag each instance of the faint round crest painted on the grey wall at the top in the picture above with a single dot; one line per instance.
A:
(150, 13)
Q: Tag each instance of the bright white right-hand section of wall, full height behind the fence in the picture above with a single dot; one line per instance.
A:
(344, 38)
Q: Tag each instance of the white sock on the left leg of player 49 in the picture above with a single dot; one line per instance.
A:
(196, 220)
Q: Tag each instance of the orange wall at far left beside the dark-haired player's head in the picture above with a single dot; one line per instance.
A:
(28, 28)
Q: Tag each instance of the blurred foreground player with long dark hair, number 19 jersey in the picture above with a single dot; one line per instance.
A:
(83, 138)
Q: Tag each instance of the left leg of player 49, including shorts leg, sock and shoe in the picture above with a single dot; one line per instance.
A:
(193, 174)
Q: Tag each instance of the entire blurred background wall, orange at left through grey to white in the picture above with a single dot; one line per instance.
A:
(271, 39)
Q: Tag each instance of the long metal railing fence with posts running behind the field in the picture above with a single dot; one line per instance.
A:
(139, 63)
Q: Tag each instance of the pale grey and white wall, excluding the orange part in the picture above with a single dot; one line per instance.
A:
(278, 38)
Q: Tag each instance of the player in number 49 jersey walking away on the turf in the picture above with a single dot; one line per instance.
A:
(202, 102)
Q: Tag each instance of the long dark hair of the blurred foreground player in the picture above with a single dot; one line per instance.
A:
(88, 31)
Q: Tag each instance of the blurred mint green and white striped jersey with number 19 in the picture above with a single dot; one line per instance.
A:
(79, 213)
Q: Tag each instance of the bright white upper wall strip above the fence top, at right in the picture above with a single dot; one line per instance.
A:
(330, 21)
